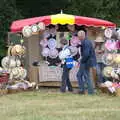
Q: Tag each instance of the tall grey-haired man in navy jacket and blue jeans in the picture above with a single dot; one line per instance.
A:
(88, 60)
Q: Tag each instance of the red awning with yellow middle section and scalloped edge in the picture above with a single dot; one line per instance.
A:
(61, 19)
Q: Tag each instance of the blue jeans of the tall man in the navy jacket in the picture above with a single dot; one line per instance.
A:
(83, 77)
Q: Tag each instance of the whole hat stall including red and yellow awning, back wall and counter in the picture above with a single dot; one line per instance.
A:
(41, 38)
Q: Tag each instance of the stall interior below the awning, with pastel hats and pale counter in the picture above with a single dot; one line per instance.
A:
(43, 50)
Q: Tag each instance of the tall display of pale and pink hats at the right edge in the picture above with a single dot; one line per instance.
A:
(111, 57)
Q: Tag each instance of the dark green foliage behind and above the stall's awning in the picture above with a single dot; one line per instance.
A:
(16, 9)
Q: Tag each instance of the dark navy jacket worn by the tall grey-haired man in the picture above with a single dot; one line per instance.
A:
(88, 53)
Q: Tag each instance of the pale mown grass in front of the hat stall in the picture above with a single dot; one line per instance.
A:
(50, 105)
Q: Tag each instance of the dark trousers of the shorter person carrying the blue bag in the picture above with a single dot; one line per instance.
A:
(65, 80)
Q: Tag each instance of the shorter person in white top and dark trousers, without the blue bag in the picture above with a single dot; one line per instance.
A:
(65, 76)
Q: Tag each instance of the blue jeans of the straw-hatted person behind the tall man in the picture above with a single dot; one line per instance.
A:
(99, 69)
